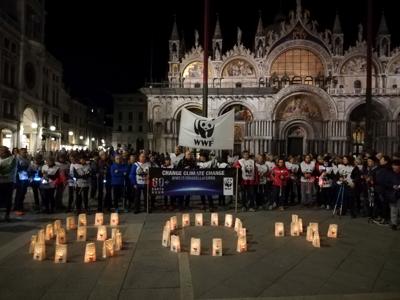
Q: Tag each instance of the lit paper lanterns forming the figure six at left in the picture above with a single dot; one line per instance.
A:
(37, 246)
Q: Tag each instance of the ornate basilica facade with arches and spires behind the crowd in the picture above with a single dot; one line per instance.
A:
(296, 91)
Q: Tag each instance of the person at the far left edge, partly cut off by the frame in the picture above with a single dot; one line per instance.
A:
(8, 169)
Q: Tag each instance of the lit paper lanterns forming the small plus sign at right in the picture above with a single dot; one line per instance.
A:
(296, 229)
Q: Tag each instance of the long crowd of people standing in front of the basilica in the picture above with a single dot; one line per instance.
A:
(365, 185)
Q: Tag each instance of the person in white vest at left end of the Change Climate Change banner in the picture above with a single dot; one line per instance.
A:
(138, 177)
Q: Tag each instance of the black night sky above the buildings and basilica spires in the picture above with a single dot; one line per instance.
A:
(106, 46)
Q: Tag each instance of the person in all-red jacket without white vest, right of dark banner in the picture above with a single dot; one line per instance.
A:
(280, 176)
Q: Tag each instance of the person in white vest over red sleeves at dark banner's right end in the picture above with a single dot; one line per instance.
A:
(249, 179)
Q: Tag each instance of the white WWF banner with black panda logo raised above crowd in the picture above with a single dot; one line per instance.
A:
(206, 133)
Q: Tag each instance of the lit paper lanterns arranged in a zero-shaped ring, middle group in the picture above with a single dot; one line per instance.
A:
(173, 240)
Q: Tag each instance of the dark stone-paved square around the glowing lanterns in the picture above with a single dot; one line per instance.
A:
(362, 263)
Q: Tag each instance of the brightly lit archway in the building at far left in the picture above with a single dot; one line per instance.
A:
(29, 130)
